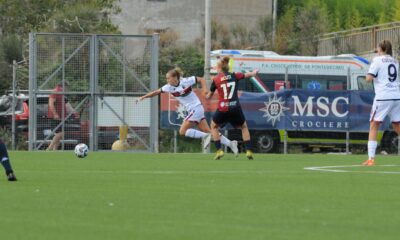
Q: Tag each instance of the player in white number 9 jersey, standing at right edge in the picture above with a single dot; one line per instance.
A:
(384, 74)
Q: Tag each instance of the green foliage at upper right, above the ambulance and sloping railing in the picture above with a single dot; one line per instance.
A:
(300, 23)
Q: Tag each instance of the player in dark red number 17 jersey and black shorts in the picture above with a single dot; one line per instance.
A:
(229, 109)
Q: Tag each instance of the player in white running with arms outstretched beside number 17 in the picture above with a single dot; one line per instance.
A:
(181, 89)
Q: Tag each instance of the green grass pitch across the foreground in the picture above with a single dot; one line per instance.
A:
(191, 196)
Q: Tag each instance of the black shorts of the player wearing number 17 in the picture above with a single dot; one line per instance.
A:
(234, 116)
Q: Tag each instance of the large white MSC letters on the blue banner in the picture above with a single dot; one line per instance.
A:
(323, 107)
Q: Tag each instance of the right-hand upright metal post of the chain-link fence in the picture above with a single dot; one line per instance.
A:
(154, 134)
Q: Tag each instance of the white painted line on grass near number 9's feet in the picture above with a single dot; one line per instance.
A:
(335, 169)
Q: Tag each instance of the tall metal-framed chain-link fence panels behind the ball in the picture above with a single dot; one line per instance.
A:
(83, 90)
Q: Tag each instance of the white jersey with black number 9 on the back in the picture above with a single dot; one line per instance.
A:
(385, 70)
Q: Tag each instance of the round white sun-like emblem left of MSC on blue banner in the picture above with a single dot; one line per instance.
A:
(274, 109)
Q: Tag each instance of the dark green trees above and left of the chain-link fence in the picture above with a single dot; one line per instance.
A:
(19, 17)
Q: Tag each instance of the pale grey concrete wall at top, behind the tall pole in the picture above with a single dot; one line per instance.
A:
(186, 17)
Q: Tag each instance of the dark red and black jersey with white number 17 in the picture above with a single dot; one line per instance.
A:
(227, 85)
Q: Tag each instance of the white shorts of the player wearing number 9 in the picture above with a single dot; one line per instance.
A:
(381, 109)
